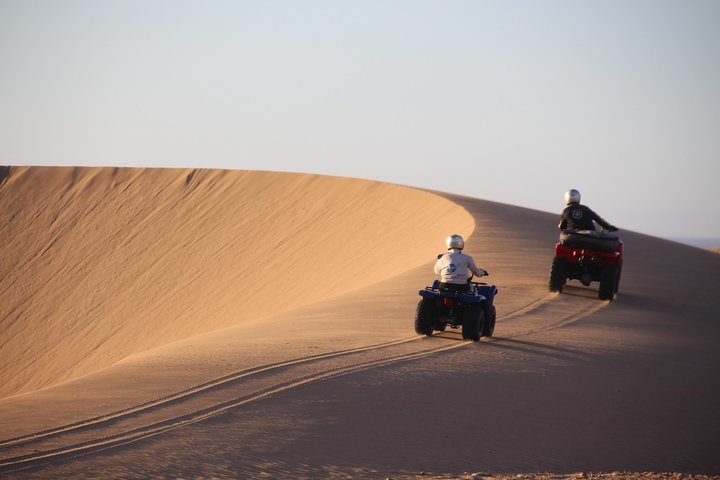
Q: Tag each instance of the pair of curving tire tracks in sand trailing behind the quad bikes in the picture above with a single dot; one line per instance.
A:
(207, 400)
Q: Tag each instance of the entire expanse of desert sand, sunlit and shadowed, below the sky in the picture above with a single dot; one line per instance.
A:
(219, 324)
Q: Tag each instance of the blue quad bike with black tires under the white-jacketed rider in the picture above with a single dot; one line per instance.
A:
(472, 310)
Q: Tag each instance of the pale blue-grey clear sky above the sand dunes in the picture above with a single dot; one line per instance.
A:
(513, 101)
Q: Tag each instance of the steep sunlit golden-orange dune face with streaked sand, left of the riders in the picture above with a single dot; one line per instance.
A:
(100, 263)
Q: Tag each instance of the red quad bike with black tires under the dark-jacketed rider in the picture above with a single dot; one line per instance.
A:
(588, 256)
